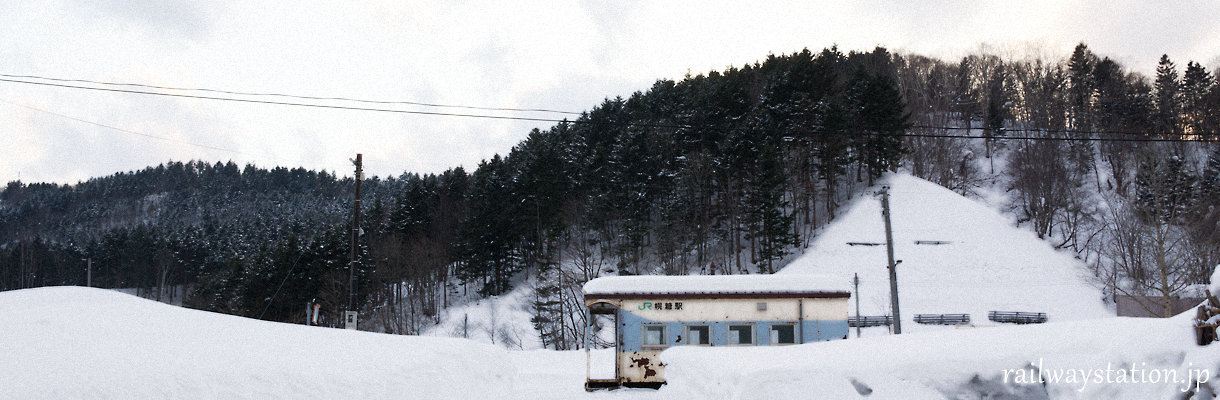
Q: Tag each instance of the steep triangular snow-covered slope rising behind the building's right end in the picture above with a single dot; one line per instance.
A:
(958, 257)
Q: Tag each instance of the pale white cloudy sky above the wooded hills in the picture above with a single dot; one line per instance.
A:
(564, 55)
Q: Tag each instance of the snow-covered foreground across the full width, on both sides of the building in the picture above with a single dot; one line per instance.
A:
(81, 343)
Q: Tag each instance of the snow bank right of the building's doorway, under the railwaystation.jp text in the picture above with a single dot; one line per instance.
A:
(967, 364)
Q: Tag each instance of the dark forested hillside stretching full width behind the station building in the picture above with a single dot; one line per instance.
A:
(727, 173)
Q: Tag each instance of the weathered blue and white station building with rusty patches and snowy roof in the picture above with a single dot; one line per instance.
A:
(656, 313)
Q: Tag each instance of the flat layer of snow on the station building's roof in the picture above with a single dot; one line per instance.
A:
(742, 285)
